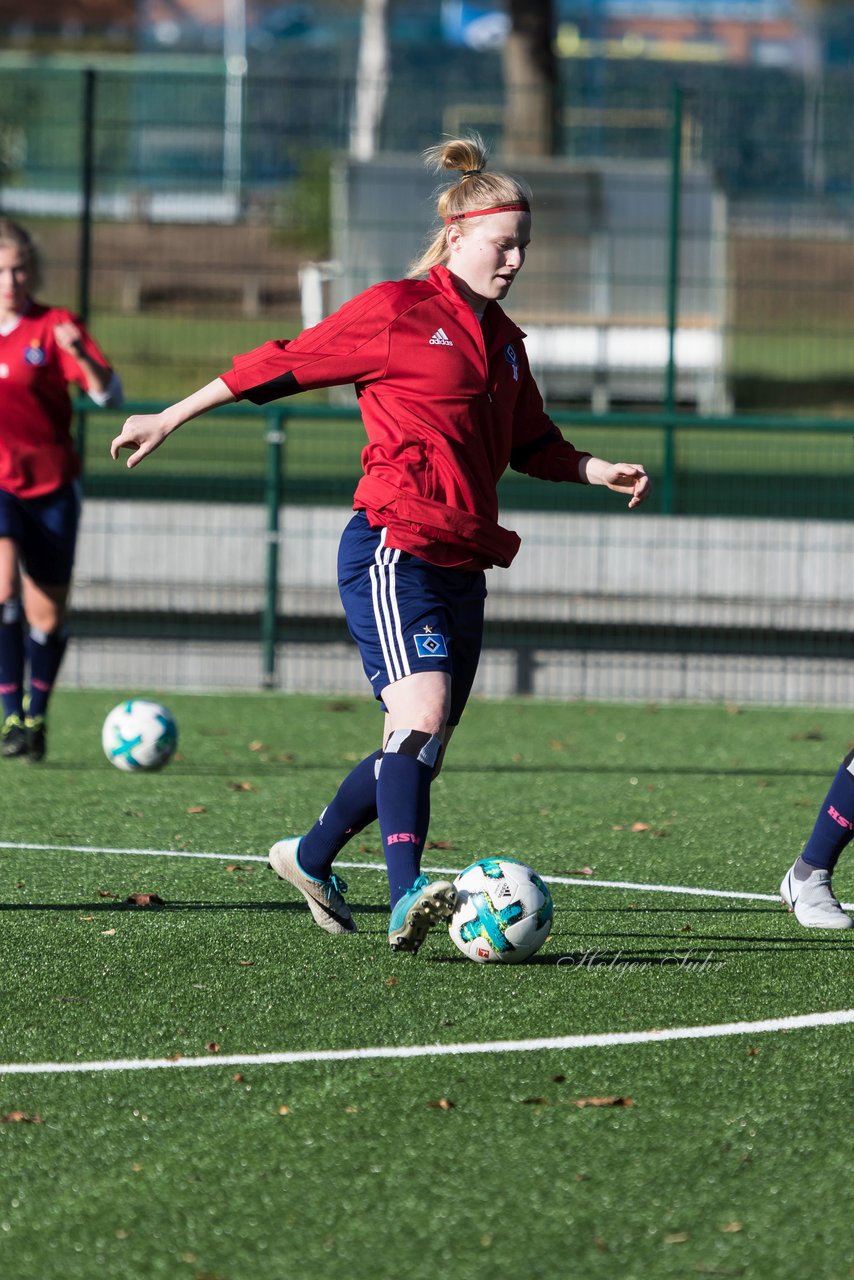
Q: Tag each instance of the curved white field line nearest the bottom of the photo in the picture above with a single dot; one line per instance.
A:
(608, 1040)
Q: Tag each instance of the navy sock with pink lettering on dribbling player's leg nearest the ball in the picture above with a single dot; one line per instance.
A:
(404, 804)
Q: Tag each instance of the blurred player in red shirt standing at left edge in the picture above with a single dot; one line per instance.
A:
(42, 351)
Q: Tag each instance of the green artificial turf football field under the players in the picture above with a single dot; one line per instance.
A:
(727, 1155)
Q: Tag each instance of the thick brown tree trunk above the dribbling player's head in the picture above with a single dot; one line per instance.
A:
(531, 81)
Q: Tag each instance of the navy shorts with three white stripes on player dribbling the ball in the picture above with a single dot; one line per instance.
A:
(409, 616)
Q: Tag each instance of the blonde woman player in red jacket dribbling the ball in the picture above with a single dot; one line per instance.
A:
(449, 404)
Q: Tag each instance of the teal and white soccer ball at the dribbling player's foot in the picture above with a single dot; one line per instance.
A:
(504, 912)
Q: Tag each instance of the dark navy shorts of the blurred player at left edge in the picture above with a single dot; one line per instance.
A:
(45, 532)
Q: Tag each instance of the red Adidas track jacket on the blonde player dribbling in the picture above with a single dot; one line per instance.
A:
(447, 403)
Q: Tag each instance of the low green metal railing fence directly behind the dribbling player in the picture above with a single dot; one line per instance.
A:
(764, 595)
